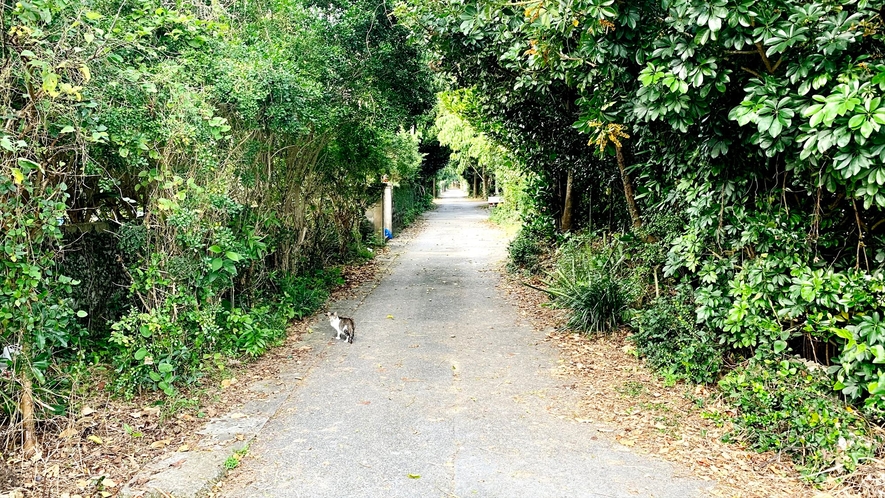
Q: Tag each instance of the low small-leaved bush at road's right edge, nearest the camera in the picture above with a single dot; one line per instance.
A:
(783, 406)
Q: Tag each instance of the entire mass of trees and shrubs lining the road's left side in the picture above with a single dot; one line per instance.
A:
(180, 180)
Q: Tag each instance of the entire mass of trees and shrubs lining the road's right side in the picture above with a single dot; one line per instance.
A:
(708, 174)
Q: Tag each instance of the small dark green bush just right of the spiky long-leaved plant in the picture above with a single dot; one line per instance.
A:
(667, 336)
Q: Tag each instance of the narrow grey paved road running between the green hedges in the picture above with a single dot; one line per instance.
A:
(442, 394)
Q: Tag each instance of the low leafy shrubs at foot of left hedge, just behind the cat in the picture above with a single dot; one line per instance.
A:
(174, 345)
